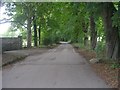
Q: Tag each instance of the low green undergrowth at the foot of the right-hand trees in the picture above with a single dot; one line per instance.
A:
(100, 54)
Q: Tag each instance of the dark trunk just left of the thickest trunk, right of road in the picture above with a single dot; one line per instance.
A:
(93, 32)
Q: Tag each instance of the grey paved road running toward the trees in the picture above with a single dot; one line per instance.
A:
(60, 67)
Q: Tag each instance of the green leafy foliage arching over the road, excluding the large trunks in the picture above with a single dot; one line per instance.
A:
(68, 21)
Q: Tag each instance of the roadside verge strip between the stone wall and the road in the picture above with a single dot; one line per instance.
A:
(11, 58)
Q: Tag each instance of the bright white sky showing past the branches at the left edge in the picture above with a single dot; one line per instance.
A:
(3, 27)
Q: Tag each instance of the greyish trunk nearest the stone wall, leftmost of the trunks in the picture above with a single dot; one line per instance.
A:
(29, 32)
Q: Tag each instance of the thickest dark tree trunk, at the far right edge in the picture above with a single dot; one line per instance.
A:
(112, 33)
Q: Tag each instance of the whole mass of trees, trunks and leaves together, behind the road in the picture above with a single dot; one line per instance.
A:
(96, 25)
